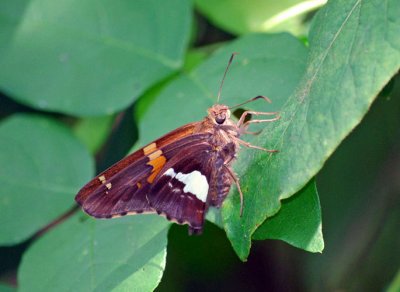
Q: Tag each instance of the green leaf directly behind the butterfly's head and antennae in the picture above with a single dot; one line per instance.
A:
(192, 93)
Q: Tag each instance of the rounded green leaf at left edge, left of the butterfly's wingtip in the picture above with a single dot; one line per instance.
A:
(43, 166)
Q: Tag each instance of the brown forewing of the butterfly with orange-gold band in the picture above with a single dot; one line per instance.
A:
(122, 188)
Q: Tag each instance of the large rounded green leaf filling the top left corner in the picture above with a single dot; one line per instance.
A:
(89, 57)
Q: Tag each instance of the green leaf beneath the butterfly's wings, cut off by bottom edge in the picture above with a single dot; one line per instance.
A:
(84, 254)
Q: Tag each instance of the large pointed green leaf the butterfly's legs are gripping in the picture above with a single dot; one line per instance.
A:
(354, 51)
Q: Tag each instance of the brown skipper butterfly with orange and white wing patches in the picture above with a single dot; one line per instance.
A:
(179, 175)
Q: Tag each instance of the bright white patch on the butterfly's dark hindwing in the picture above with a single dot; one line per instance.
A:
(195, 183)
